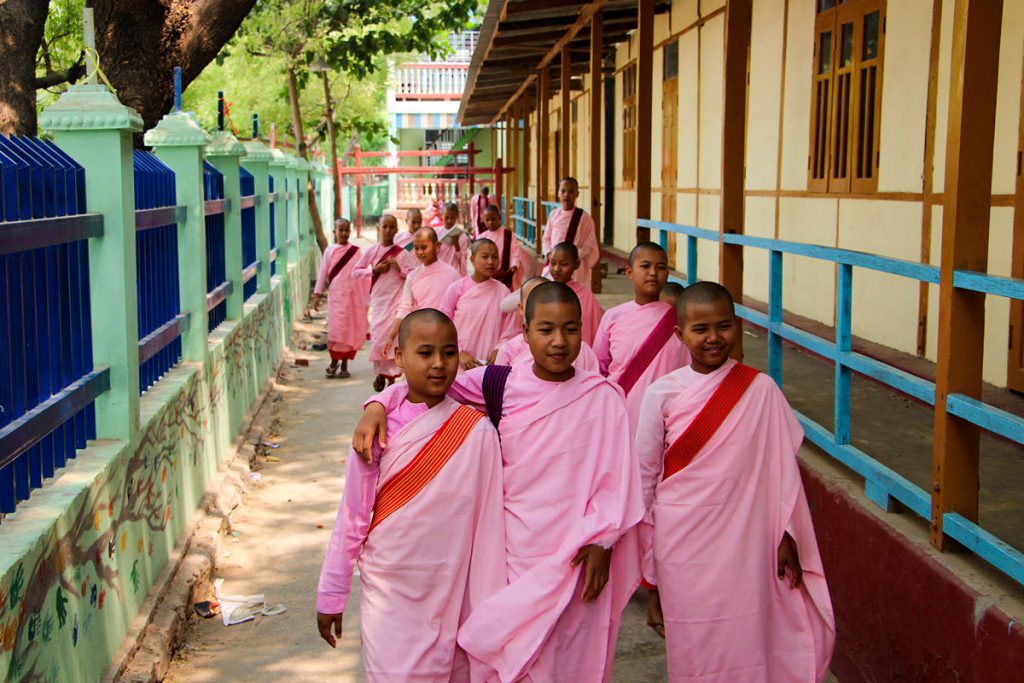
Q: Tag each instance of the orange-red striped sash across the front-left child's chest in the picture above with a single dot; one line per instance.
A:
(412, 479)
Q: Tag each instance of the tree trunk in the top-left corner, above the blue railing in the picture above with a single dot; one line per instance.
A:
(22, 24)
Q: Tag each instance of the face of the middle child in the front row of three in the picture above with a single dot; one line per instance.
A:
(554, 335)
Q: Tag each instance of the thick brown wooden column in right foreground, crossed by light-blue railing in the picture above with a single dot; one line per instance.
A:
(973, 76)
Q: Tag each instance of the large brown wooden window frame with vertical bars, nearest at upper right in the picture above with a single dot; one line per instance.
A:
(846, 111)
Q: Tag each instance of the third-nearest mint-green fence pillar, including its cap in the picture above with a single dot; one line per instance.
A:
(224, 152)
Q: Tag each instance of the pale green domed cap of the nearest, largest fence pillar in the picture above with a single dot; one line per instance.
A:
(92, 107)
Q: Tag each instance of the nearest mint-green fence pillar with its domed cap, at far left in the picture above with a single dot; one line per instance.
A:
(96, 130)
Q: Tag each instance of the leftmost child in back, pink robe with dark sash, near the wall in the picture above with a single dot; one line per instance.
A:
(347, 306)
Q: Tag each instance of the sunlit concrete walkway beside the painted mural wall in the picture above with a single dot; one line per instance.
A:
(283, 529)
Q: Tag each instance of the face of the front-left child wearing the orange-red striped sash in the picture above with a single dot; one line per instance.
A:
(430, 358)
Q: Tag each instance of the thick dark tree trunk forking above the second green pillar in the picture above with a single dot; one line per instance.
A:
(141, 42)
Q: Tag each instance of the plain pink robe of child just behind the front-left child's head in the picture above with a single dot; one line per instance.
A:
(476, 309)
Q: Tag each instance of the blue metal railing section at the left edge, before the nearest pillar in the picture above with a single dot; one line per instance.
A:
(48, 380)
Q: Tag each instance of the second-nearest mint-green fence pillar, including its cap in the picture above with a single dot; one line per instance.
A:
(180, 143)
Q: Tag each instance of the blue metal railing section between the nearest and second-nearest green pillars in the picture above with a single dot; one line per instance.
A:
(160, 319)
